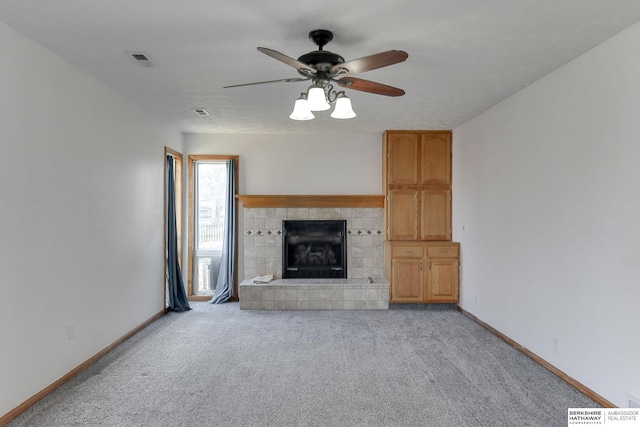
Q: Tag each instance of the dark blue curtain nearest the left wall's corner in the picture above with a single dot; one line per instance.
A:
(175, 287)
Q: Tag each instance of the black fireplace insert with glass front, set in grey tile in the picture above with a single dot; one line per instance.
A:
(314, 249)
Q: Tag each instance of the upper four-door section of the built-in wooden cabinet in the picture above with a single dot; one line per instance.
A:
(417, 184)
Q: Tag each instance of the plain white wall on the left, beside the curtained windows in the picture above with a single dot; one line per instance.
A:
(81, 217)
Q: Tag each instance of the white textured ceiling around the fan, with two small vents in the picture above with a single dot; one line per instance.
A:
(464, 55)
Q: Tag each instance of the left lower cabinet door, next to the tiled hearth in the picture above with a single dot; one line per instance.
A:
(407, 280)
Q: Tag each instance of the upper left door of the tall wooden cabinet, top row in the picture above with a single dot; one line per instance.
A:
(402, 158)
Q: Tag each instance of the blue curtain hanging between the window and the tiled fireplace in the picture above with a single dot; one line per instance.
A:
(224, 287)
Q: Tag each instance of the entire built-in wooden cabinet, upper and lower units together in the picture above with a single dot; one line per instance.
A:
(421, 262)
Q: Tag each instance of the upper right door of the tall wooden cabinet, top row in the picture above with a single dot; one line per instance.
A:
(435, 158)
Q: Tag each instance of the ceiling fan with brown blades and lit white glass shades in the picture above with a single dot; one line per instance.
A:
(323, 67)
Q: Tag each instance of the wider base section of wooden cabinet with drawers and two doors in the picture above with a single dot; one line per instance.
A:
(423, 272)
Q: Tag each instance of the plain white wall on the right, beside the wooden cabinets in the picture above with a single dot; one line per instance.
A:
(546, 206)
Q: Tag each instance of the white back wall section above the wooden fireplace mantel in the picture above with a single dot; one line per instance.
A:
(299, 164)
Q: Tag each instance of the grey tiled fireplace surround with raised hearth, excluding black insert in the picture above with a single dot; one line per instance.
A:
(364, 287)
